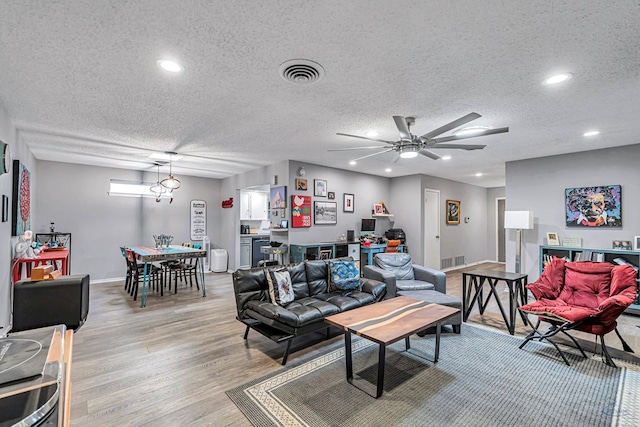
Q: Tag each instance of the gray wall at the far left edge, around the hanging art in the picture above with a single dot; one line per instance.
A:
(19, 151)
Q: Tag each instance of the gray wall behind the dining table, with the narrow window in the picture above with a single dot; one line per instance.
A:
(75, 198)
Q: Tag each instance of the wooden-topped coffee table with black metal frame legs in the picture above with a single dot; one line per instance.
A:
(387, 322)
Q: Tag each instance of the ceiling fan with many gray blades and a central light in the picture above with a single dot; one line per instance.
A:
(410, 145)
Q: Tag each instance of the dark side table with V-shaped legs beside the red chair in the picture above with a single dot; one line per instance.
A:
(475, 279)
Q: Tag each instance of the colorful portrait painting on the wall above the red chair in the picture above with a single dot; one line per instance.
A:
(593, 206)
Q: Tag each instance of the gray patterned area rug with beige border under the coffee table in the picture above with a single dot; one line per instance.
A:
(481, 379)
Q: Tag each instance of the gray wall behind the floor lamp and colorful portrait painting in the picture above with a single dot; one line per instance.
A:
(538, 185)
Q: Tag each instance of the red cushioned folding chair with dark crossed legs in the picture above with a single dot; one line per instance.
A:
(585, 296)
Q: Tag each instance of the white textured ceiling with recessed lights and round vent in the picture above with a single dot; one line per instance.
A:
(80, 80)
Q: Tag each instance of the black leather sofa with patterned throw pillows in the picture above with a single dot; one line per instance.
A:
(306, 313)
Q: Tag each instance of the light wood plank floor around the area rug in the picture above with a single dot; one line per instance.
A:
(169, 364)
